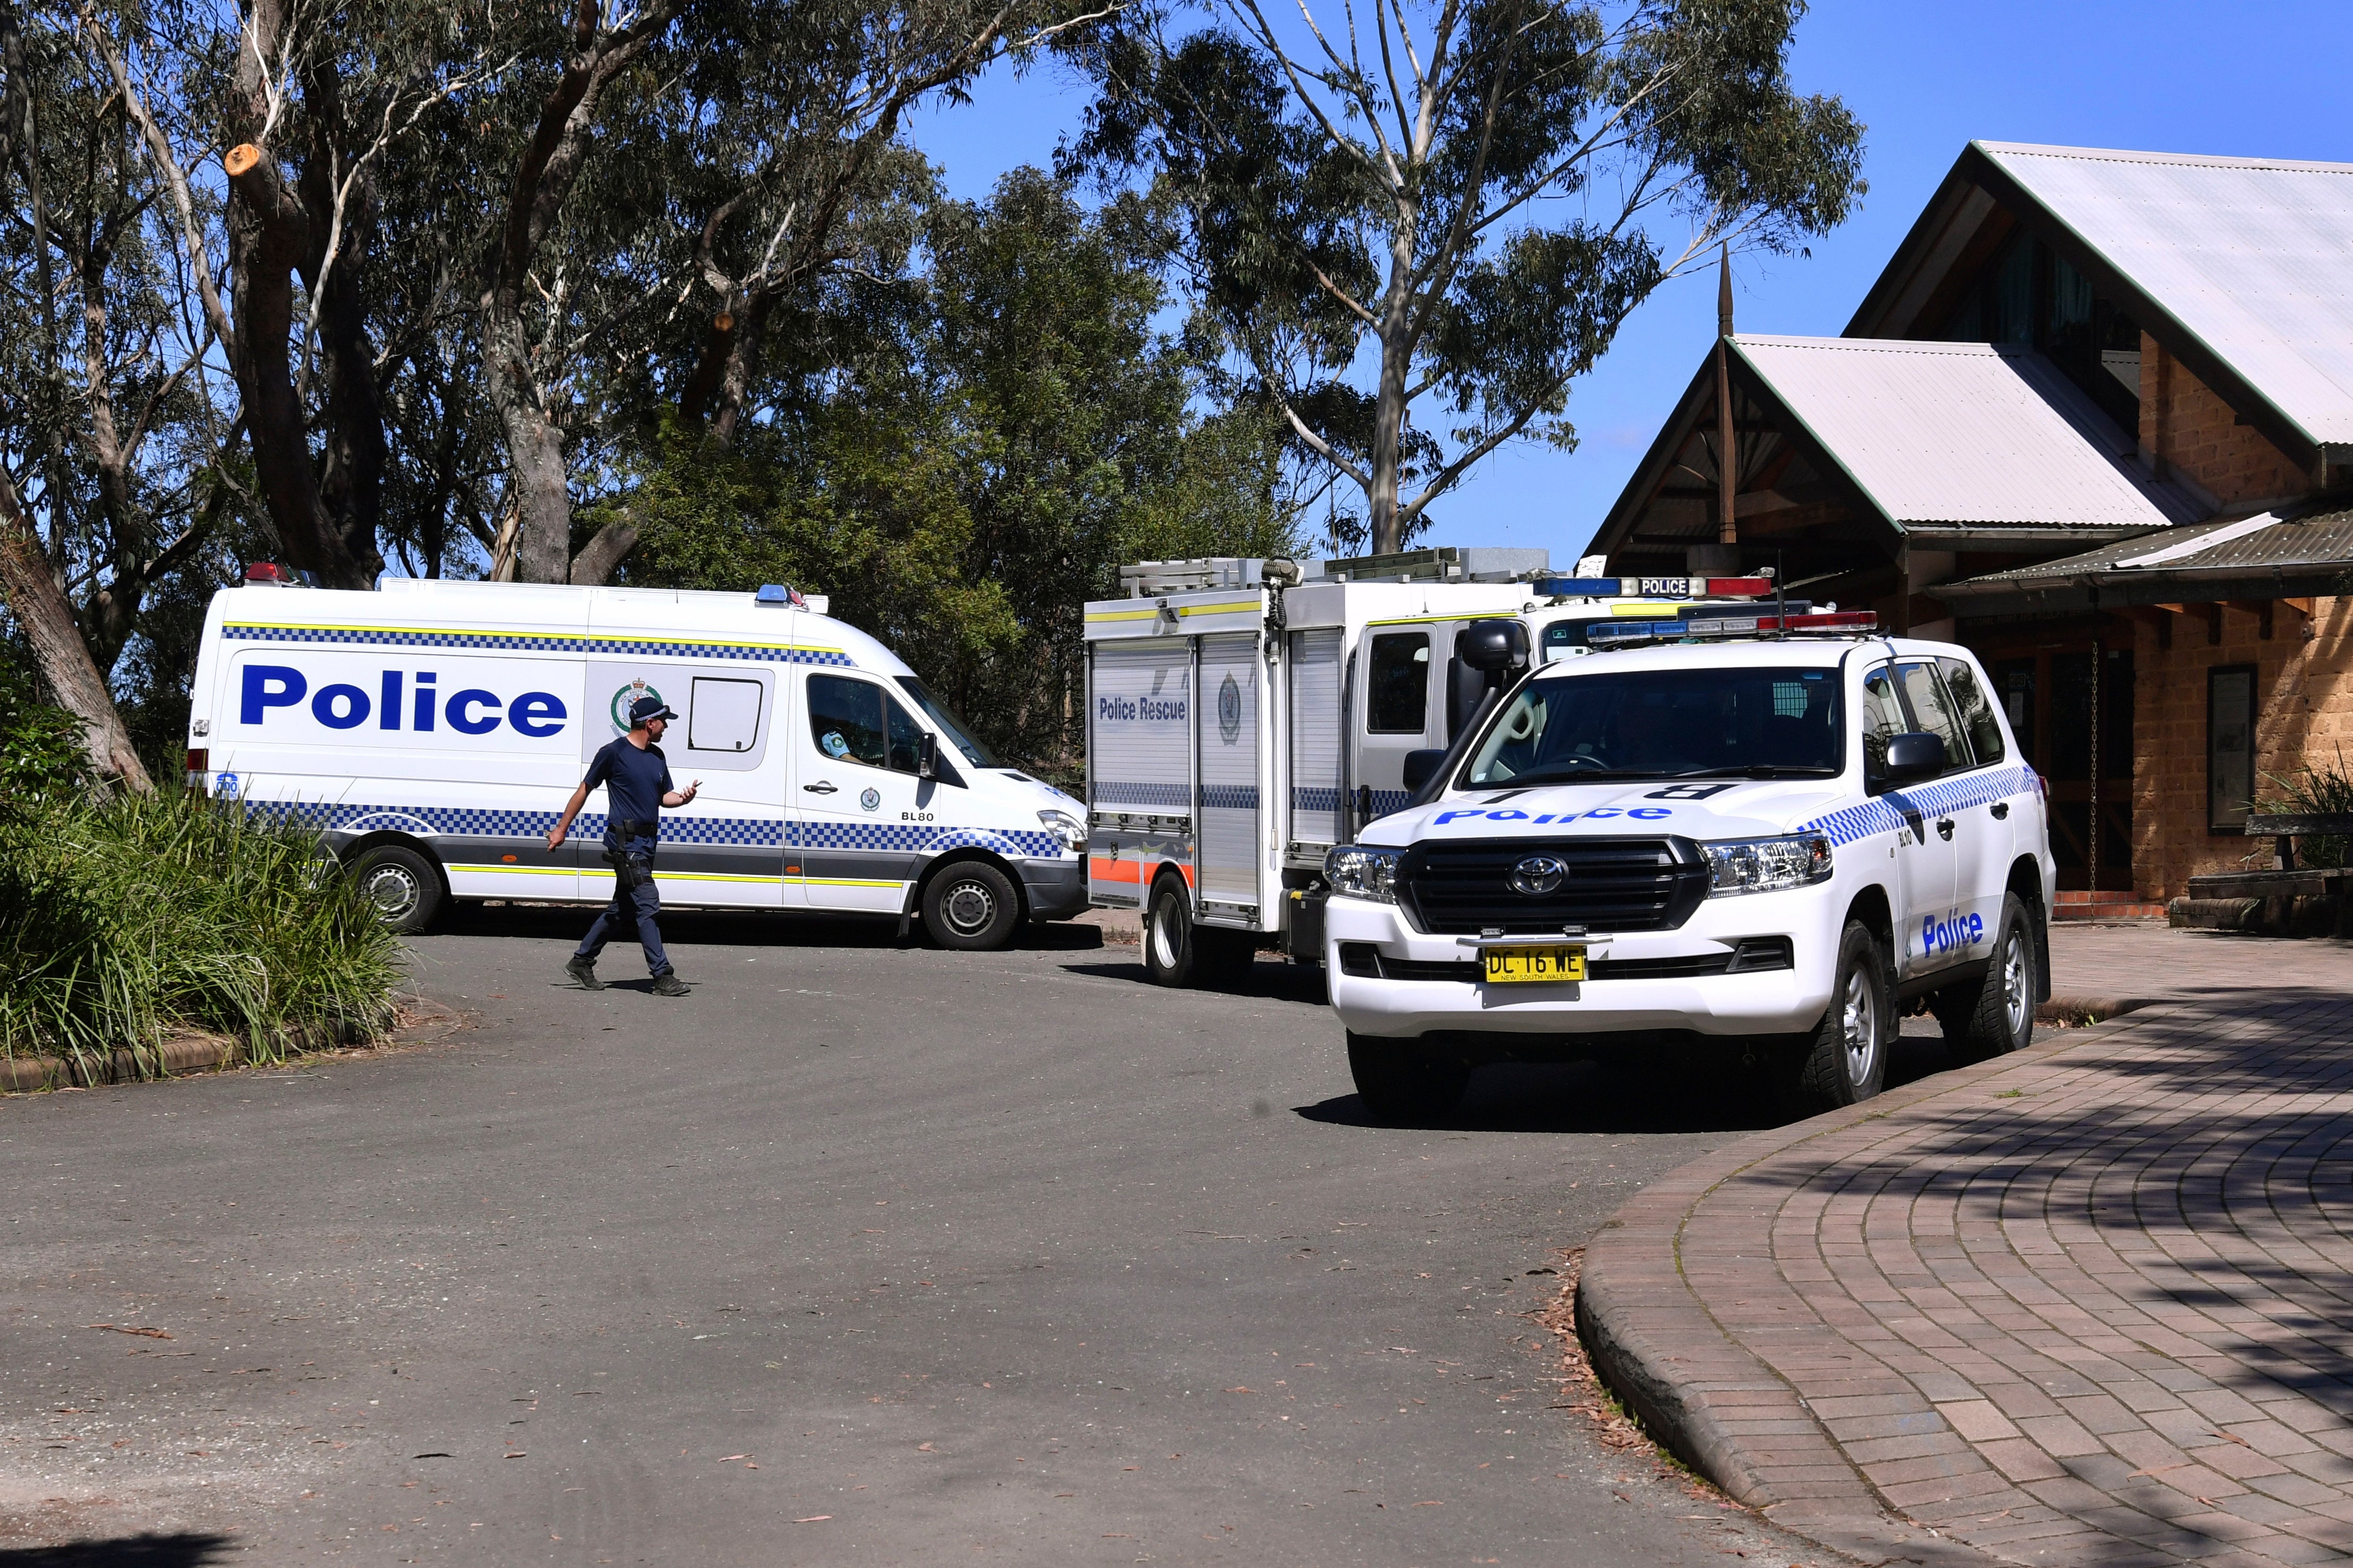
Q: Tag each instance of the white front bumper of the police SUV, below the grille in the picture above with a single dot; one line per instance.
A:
(1721, 1005)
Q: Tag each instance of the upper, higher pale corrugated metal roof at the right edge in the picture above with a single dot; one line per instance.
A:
(2251, 255)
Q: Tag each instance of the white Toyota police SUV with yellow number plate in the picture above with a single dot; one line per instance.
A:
(1773, 840)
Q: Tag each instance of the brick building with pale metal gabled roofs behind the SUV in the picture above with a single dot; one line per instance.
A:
(2095, 420)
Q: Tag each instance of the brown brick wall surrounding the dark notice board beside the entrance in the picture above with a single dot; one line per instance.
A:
(2305, 702)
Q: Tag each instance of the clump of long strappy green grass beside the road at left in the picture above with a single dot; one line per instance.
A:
(128, 916)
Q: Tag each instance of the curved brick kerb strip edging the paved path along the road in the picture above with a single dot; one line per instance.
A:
(1709, 1398)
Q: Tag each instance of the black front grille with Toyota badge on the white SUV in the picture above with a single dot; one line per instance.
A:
(1604, 885)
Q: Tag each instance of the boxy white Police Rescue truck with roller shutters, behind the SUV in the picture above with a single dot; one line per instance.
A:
(1248, 716)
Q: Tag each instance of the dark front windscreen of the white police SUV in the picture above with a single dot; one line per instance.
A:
(1665, 725)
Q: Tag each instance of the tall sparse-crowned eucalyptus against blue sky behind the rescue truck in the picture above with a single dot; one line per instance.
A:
(1455, 196)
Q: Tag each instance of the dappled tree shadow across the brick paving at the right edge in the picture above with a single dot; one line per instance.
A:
(2211, 1155)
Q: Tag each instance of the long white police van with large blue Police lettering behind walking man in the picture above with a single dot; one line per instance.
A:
(432, 732)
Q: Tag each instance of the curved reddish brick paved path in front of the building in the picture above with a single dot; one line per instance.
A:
(2081, 1306)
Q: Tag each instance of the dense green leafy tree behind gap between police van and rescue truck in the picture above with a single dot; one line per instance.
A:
(982, 469)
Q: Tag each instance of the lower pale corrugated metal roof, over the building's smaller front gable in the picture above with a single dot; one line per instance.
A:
(1964, 434)
